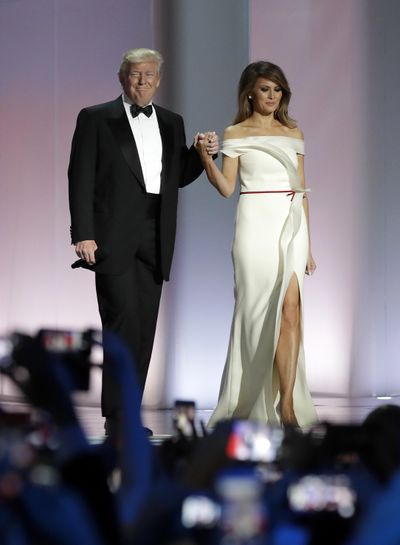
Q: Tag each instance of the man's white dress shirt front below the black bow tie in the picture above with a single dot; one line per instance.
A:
(148, 142)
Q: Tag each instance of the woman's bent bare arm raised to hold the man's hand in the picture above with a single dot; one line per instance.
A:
(224, 181)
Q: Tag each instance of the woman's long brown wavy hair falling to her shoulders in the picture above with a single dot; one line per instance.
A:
(247, 82)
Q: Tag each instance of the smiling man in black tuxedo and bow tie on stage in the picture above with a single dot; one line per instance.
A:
(128, 160)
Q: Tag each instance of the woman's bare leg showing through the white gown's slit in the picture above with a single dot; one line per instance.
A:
(287, 351)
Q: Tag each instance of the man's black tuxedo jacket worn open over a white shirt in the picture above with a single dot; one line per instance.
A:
(106, 185)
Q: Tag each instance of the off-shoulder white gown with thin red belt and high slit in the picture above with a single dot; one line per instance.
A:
(270, 245)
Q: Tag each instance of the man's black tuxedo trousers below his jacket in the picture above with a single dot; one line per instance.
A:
(129, 303)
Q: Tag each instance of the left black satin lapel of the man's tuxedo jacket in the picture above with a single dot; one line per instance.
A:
(121, 129)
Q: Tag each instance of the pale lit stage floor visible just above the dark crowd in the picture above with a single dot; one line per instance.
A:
(332, 409)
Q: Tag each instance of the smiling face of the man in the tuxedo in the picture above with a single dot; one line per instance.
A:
(141, 82)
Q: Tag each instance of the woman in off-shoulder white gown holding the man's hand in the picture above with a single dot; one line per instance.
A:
(264, 375)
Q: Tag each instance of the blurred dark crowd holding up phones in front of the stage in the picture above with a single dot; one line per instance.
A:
(243, 483)
